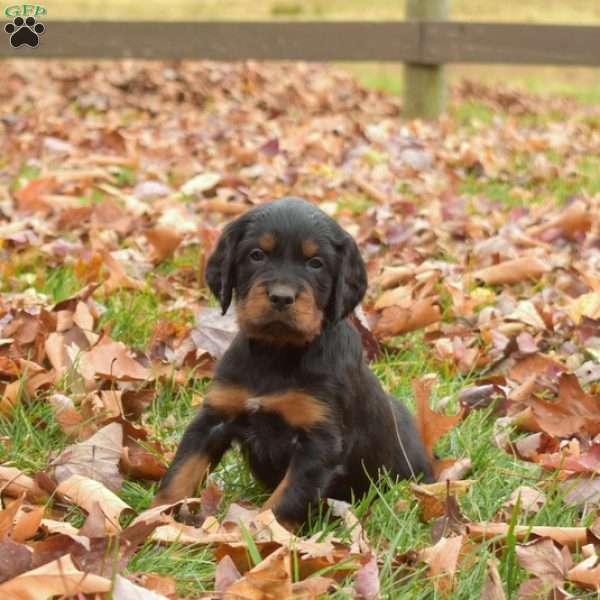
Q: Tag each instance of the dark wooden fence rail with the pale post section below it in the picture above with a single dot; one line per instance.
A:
(424, 45)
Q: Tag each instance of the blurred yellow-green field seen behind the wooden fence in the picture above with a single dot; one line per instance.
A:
(583, 83)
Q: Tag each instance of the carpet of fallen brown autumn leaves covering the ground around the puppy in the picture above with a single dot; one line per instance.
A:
(122, 193)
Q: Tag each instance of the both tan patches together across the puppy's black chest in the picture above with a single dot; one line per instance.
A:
(298, 409)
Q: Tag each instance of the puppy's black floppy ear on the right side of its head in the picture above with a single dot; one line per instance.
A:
(351, 281)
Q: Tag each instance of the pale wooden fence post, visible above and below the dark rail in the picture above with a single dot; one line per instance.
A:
(425, 85)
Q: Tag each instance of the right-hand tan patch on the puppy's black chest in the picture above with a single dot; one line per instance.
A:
(296, 408)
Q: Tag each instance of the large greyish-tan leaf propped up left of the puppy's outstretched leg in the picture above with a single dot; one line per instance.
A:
(96, 458)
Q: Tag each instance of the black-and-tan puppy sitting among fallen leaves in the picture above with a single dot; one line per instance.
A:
(293, 389)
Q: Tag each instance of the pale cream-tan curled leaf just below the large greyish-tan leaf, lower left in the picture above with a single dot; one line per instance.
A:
(86, 492)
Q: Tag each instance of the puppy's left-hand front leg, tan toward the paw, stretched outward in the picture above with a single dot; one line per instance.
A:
(203, 444)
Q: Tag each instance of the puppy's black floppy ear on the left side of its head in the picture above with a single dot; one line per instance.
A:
(220, 268)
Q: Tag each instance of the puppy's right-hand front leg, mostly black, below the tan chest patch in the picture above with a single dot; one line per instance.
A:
(312, 468)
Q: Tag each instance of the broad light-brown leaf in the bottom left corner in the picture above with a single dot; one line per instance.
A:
(58, 578)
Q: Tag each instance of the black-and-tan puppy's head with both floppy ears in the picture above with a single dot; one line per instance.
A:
(292, 268)
